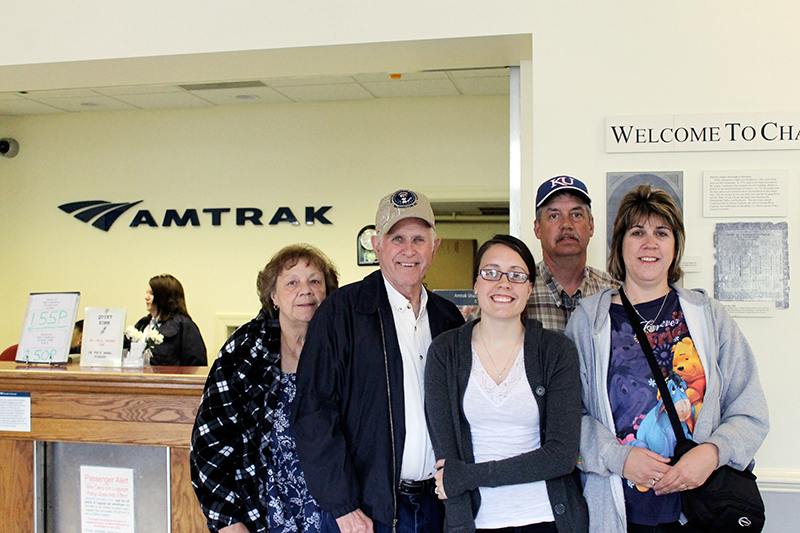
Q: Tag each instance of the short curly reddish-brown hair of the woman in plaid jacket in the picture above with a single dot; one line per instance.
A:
(288, 257)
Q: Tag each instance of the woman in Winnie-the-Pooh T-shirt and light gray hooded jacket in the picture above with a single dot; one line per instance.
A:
(630, 485)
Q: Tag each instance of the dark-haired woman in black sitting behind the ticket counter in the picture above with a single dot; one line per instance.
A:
(166, 304)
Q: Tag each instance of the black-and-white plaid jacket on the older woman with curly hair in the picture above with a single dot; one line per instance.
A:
(229, 453)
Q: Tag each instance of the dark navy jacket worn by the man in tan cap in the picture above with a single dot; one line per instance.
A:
(350, 372)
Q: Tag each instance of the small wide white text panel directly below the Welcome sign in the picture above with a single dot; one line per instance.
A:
(746, 193)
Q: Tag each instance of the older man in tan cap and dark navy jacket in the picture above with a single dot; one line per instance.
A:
(359, 413)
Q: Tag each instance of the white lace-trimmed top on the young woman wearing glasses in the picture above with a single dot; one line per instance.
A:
(504, 422)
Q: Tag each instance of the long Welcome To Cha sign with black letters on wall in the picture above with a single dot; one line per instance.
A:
(698, 133)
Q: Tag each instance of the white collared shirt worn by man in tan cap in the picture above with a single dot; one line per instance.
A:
(414, 337)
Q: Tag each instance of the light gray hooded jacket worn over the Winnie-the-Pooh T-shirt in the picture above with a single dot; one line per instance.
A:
(734, 413)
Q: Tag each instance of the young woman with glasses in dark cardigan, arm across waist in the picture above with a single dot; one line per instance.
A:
(503, 405)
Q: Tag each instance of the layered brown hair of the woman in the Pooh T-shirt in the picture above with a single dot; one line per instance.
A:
(636, 207)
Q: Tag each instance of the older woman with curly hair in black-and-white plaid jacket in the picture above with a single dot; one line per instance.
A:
(245, 468)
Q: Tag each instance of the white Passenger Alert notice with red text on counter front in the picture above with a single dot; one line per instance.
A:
(106, 500)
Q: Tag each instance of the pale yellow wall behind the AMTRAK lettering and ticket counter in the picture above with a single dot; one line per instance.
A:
(343, 154)
